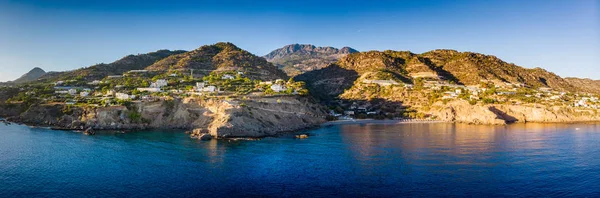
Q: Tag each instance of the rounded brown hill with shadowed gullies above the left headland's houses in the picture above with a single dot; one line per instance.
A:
(220, 57)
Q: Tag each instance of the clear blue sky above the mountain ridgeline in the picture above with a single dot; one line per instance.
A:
(560, 36)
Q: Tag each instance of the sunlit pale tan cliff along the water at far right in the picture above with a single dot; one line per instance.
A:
(463, 112)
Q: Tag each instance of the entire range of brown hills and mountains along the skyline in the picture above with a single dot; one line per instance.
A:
(330, 68)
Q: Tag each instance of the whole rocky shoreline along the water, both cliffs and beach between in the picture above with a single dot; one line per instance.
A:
(207, 118)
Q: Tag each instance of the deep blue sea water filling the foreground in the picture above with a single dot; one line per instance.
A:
(552, 160)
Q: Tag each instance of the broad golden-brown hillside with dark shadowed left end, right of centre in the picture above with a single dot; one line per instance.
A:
(464, 68)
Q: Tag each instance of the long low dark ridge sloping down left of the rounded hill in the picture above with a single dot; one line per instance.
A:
(99, 71)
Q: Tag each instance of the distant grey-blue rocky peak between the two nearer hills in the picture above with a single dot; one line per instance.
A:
(296, 59)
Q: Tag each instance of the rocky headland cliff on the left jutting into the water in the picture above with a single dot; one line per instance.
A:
(220, 118)
